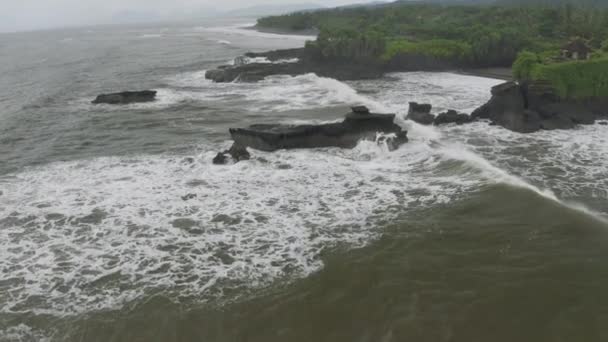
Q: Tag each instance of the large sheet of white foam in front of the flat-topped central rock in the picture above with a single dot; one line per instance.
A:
(97, 234)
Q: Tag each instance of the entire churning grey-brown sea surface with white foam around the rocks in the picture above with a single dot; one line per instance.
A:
(114, 225)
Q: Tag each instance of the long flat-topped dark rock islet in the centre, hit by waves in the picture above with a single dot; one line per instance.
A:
(358, 125)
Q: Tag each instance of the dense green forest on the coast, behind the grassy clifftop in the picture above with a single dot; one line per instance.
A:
(471, 35)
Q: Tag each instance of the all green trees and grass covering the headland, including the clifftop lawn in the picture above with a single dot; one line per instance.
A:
(490, 34)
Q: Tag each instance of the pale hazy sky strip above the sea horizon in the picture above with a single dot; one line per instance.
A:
(17, 15)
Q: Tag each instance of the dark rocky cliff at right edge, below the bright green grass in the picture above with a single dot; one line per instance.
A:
(529, 108)
